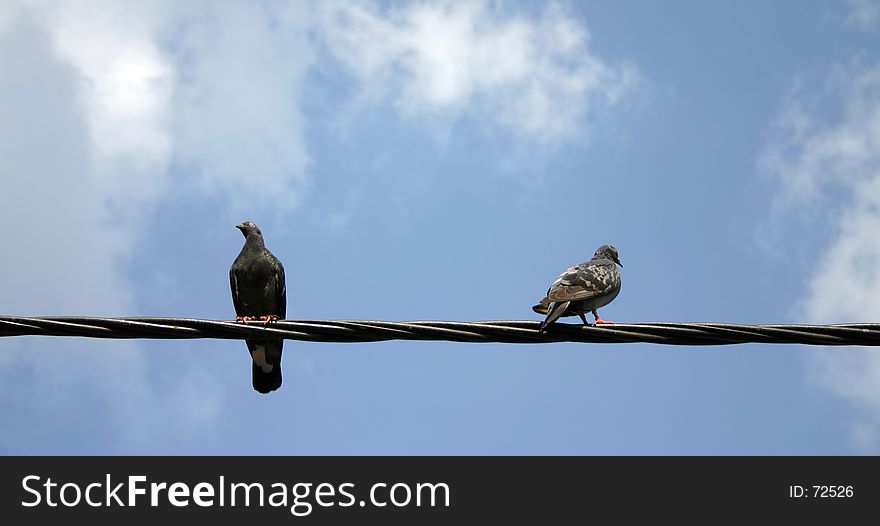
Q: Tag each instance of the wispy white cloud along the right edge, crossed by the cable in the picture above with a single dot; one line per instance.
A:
(831, 166)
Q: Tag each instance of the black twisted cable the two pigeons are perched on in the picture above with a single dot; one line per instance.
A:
(352, 331)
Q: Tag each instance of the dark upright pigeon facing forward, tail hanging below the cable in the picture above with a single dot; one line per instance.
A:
(259, 292)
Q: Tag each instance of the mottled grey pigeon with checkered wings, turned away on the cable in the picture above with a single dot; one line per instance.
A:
(583, 288)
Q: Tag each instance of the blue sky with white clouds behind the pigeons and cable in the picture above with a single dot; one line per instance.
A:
(441, 160)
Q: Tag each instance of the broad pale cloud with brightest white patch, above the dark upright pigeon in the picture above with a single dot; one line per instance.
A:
(214, 88)
